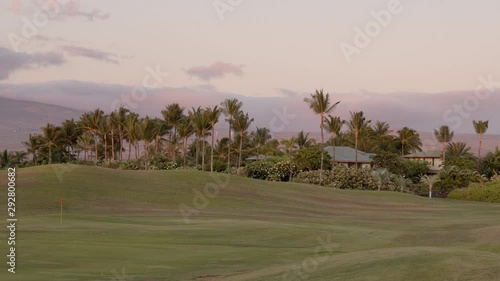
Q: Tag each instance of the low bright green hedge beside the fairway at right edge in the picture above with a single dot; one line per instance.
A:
(486, 192)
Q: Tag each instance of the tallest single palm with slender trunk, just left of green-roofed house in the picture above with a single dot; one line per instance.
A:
(320, 104)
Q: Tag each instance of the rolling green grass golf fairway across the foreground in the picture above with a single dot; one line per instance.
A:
(126, 225)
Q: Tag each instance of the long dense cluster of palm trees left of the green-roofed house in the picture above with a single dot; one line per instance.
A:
(124, 135)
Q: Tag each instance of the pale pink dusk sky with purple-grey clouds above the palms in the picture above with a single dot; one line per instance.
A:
(420, 64)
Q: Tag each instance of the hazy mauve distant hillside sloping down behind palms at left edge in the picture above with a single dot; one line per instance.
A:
(20, 118)
